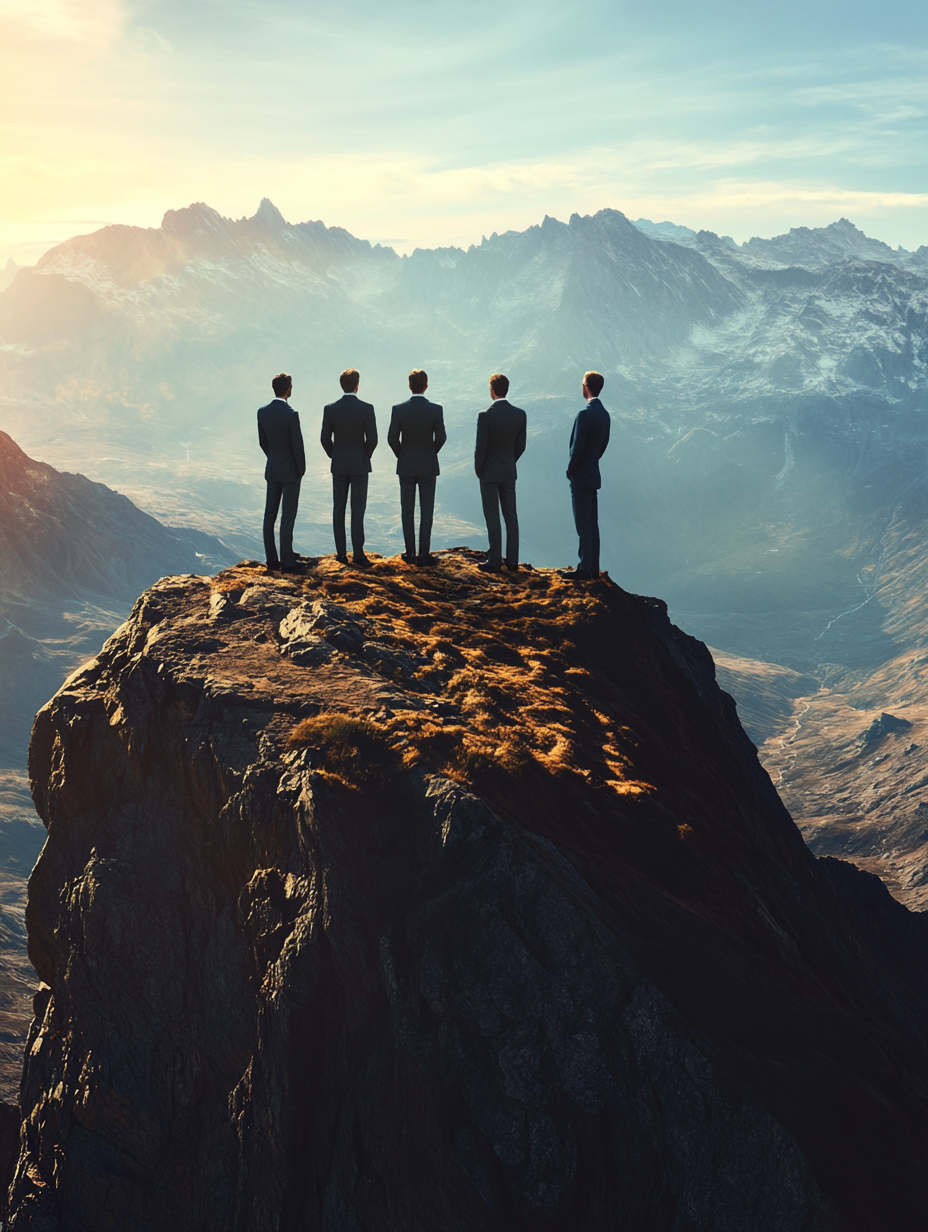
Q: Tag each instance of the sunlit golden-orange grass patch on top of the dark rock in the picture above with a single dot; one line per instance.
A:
(500, 659)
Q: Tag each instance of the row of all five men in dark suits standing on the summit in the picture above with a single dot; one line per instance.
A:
(417, 434)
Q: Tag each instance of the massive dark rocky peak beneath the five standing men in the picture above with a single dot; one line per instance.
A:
(425, 900)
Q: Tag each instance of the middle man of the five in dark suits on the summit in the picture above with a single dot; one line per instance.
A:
(417, 433)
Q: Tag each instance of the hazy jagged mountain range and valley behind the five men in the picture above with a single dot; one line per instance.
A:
(767, 475)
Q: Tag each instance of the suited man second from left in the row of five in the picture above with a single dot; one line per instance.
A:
(349, 437)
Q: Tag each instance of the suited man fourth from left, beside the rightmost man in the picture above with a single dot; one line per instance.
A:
(501, 443)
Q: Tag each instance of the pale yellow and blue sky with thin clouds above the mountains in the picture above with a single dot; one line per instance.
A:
(418, 124)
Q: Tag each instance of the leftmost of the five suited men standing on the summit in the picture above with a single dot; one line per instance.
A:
(283, 442)
